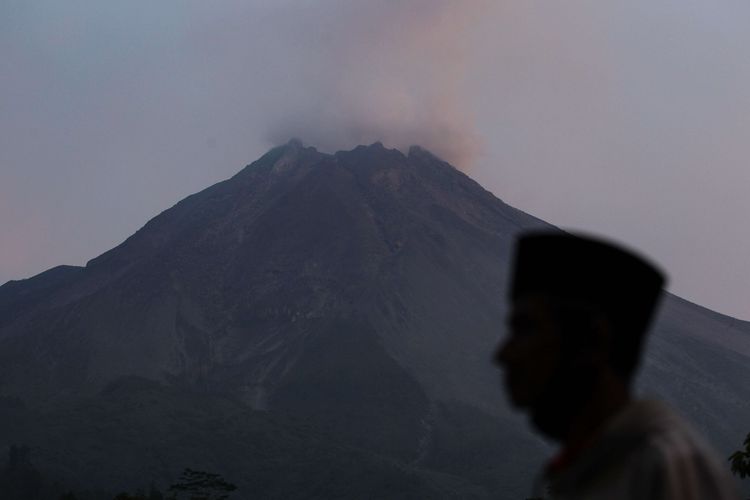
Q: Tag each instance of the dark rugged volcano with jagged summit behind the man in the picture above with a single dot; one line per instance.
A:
(317, 326)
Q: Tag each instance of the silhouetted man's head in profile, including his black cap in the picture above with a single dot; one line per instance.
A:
(579, 310)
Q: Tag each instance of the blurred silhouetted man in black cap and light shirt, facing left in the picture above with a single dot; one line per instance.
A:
(580, 308)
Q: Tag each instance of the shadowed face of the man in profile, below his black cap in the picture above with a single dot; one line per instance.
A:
(530, 353)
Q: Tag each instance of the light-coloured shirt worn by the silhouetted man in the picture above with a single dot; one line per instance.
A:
(646, 452)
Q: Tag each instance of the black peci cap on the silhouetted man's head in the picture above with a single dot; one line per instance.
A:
(623, 285)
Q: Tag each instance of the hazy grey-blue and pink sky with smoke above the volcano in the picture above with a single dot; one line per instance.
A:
(628, 119)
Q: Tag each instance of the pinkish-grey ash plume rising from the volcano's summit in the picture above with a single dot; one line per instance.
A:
(395, 72)
